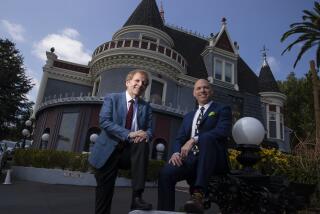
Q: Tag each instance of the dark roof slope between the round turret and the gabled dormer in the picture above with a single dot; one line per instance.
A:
(190, 47)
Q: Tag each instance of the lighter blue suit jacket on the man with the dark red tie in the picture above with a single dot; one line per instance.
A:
(112, 123)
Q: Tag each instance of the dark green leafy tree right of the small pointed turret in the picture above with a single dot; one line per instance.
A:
(298, 109)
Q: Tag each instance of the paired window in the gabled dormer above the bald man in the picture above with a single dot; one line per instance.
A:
(223, 70)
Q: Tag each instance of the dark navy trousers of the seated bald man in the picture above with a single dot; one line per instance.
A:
(196, 170)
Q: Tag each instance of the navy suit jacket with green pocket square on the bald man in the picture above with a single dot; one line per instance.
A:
(215, 126)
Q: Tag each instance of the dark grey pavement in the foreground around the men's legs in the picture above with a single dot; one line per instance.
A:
(24, 197)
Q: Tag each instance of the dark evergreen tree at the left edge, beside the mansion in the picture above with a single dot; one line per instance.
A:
(14, 85)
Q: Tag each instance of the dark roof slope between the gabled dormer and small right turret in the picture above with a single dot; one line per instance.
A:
(247, 79)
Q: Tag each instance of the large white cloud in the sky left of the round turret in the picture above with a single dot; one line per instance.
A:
(66, 45)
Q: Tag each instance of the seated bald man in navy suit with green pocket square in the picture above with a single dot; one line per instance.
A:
(199, 151)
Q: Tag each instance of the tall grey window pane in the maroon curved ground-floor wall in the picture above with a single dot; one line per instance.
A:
(67, 131)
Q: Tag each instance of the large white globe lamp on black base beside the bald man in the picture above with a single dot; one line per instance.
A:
(248, 132)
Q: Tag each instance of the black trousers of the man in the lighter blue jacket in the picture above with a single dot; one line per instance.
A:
(134, 156)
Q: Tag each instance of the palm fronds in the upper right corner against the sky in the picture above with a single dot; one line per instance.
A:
(308, 31)
